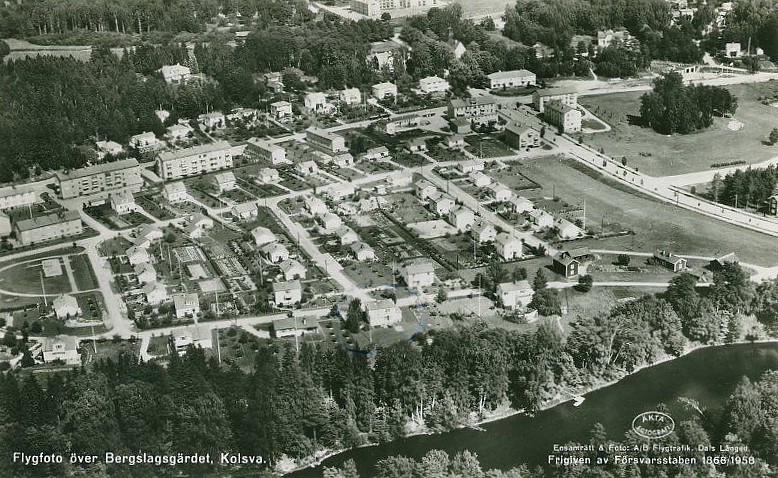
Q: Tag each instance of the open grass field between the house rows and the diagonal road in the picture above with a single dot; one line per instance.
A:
(656, 224)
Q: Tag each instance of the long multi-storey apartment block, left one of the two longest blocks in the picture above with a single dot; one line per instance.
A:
(100, 179)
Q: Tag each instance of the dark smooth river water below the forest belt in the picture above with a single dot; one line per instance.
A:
(708, 375)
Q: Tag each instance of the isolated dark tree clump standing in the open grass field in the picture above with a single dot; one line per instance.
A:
(673, 107)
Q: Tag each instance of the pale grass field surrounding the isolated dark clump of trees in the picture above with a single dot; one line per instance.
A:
(660, 155)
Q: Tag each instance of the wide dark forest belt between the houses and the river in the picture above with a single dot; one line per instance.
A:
(295, 402)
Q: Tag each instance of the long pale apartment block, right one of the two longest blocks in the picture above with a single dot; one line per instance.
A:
(194, 161)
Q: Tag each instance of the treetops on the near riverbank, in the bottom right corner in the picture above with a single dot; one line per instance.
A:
(750, 417)
